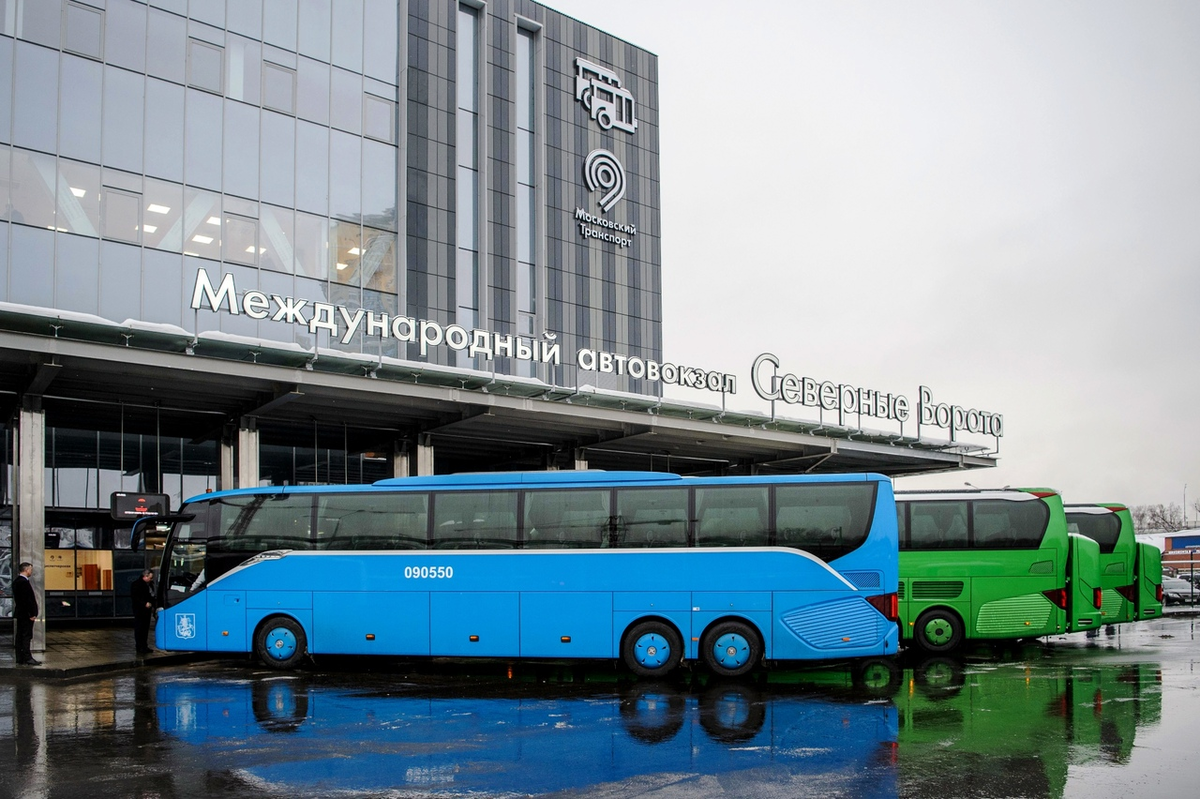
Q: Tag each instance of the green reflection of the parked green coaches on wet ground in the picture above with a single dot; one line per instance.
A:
(1012, 730)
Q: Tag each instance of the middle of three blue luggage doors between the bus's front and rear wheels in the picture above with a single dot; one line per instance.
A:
(483, 624)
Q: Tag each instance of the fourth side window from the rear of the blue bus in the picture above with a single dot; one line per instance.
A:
(565, 520)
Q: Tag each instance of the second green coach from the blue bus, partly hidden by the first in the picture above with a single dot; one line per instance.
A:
(1112, 526)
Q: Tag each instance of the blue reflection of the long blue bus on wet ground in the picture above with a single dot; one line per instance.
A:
(308, 737)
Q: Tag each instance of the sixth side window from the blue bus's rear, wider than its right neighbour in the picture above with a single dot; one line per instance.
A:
(376, 521)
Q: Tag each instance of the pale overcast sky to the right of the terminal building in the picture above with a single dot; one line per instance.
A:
(1000, 201)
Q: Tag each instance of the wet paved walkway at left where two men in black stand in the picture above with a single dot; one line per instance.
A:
(79, 651)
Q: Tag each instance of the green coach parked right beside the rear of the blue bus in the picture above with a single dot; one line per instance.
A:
(987, 564)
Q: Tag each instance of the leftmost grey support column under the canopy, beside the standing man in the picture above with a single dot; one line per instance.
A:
(29, 509)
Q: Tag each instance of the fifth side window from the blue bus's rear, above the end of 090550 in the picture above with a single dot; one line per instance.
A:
(476, 520)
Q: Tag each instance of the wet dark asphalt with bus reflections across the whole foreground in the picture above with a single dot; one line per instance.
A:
(1113, 716)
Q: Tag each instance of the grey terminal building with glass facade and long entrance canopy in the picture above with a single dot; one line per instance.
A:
(278, 243)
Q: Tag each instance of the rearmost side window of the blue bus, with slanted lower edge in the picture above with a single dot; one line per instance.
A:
(829, 521)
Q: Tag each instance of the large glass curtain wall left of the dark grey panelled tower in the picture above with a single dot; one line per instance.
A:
(140, 145)
